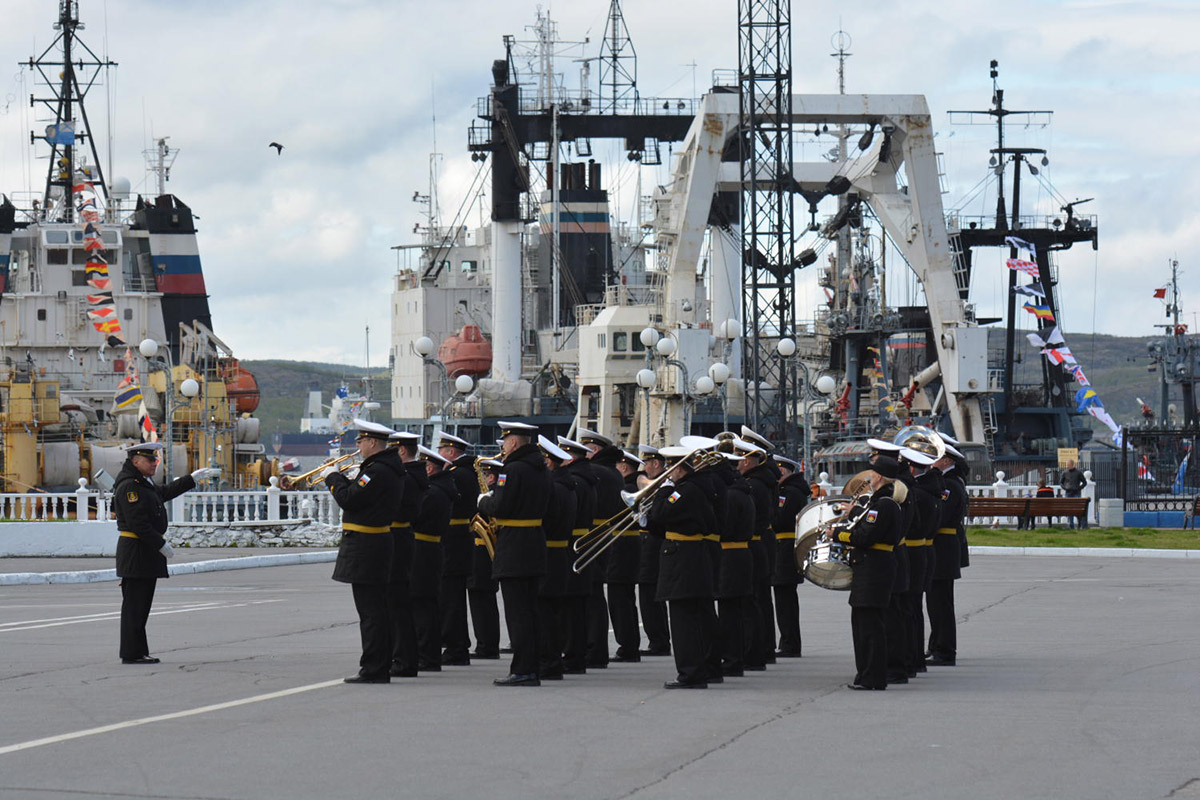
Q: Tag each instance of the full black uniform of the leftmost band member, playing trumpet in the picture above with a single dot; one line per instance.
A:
(365, 555)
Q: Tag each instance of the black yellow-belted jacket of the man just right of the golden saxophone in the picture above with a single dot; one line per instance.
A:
(518, 504)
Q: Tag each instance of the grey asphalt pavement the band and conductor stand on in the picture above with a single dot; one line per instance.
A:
(1077, 678)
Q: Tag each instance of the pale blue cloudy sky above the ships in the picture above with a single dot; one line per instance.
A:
(297, 249)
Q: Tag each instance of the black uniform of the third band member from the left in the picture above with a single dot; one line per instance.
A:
(425, 580)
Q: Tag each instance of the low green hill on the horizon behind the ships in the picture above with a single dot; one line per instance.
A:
(1115, 365)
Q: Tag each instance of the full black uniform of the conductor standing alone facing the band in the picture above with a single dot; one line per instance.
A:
(142, 520)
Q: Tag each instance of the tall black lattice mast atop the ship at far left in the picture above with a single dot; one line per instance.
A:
(69, 131)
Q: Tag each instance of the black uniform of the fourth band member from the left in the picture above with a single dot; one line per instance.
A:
(458, 551)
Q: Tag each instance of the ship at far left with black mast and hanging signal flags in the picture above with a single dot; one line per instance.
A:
(106, 334)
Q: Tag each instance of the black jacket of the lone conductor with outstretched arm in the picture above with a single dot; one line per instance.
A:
(142, 519)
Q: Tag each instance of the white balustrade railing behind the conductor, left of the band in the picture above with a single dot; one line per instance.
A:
(196, 508)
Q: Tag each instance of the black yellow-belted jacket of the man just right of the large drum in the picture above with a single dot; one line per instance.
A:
(873, 540)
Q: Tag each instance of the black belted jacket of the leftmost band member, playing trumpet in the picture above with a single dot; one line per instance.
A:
(369, 507)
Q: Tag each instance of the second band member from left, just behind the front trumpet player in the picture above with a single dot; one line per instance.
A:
(405, 660)
